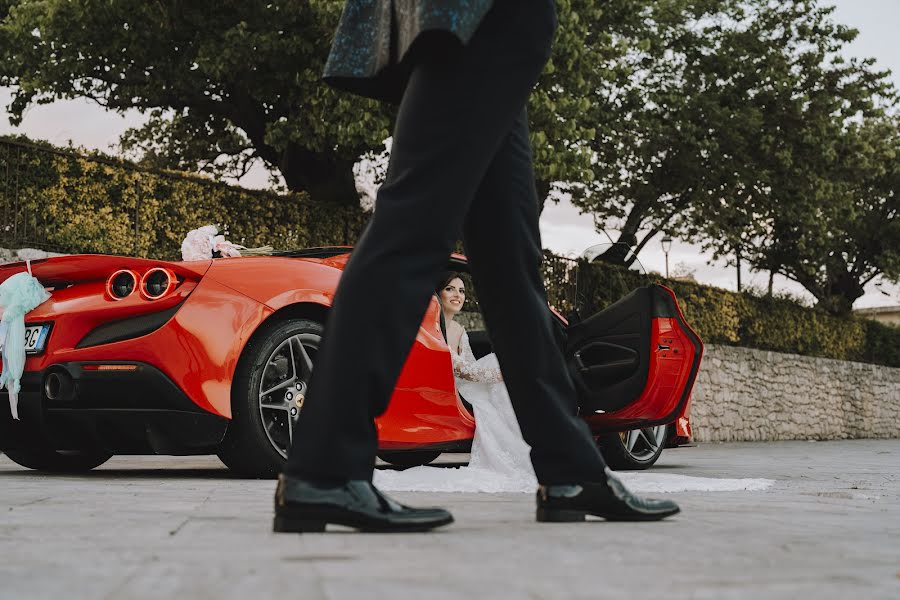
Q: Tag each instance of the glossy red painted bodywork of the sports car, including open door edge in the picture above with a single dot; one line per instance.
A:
(219, 304)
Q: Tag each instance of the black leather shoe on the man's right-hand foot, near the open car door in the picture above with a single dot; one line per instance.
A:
(608, 499)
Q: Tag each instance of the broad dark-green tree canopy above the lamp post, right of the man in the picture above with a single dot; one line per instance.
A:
(739, 126)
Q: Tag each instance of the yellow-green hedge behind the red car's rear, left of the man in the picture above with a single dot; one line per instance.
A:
(67, 202)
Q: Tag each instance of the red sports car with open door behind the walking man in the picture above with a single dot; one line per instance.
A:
(139, 356)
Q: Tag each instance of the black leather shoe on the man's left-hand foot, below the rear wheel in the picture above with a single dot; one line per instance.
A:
(305, 506)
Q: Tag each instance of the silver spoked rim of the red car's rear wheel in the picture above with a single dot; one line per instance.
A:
(282, 388)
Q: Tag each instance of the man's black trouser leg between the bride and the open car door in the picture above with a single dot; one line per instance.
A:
(503, 246)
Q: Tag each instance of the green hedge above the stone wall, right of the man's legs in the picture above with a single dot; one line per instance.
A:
(737, 319)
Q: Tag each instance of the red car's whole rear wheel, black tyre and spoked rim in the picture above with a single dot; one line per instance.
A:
(261, 428)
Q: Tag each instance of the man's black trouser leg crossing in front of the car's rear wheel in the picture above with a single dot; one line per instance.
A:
(456, 112)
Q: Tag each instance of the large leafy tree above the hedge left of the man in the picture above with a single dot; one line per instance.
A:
(225, 83)
